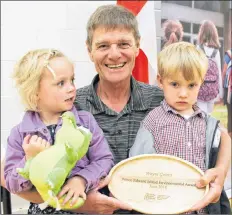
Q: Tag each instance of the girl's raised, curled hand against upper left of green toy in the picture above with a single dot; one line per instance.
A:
(34, 145)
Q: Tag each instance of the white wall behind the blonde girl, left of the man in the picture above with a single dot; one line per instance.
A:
(40, 24)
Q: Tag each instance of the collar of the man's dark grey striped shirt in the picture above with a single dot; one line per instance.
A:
(136, 102)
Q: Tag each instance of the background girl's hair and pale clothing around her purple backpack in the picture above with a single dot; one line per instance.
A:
(208, 41)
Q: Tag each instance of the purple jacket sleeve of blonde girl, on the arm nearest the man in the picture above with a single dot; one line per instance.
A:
(99, 155)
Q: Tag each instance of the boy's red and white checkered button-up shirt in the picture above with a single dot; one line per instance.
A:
(175, 135)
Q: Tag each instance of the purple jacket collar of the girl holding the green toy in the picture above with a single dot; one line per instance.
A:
(31, 121)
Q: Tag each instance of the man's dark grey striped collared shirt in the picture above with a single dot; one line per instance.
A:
(120, 129)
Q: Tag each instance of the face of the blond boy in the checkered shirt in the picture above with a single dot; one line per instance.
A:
(180, 94)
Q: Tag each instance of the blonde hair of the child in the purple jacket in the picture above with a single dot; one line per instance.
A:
(28, 72)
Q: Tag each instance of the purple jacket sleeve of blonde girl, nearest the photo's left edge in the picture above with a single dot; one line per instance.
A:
(15, 158)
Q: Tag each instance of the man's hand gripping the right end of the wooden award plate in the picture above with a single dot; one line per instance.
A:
(215, 178)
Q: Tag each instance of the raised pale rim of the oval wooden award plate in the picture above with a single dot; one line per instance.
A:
(150, 156)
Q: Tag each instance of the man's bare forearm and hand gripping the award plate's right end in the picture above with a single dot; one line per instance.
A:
(215, 177)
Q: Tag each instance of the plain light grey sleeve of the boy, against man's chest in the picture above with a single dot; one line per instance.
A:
(144, 143)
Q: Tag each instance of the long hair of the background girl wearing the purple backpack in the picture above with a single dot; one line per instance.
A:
(208, 34)
